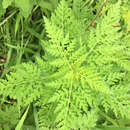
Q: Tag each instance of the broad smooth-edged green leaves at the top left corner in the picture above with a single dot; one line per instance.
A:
(26, 6)
